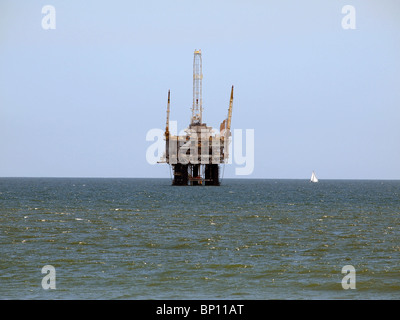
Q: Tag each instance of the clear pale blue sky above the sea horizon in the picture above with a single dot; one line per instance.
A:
(79, 100)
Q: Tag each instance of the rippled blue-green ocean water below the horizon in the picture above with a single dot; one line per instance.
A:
(247, 239)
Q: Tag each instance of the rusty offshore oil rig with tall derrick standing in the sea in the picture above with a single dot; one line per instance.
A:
(195, 157)
